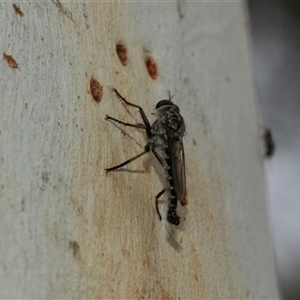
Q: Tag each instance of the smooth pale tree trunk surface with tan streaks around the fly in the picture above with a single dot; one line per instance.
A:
(68, 229)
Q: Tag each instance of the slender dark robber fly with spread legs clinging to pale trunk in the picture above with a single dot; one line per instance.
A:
(165, 142)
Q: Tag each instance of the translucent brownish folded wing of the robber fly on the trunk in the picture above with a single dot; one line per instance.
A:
(178, 168)
